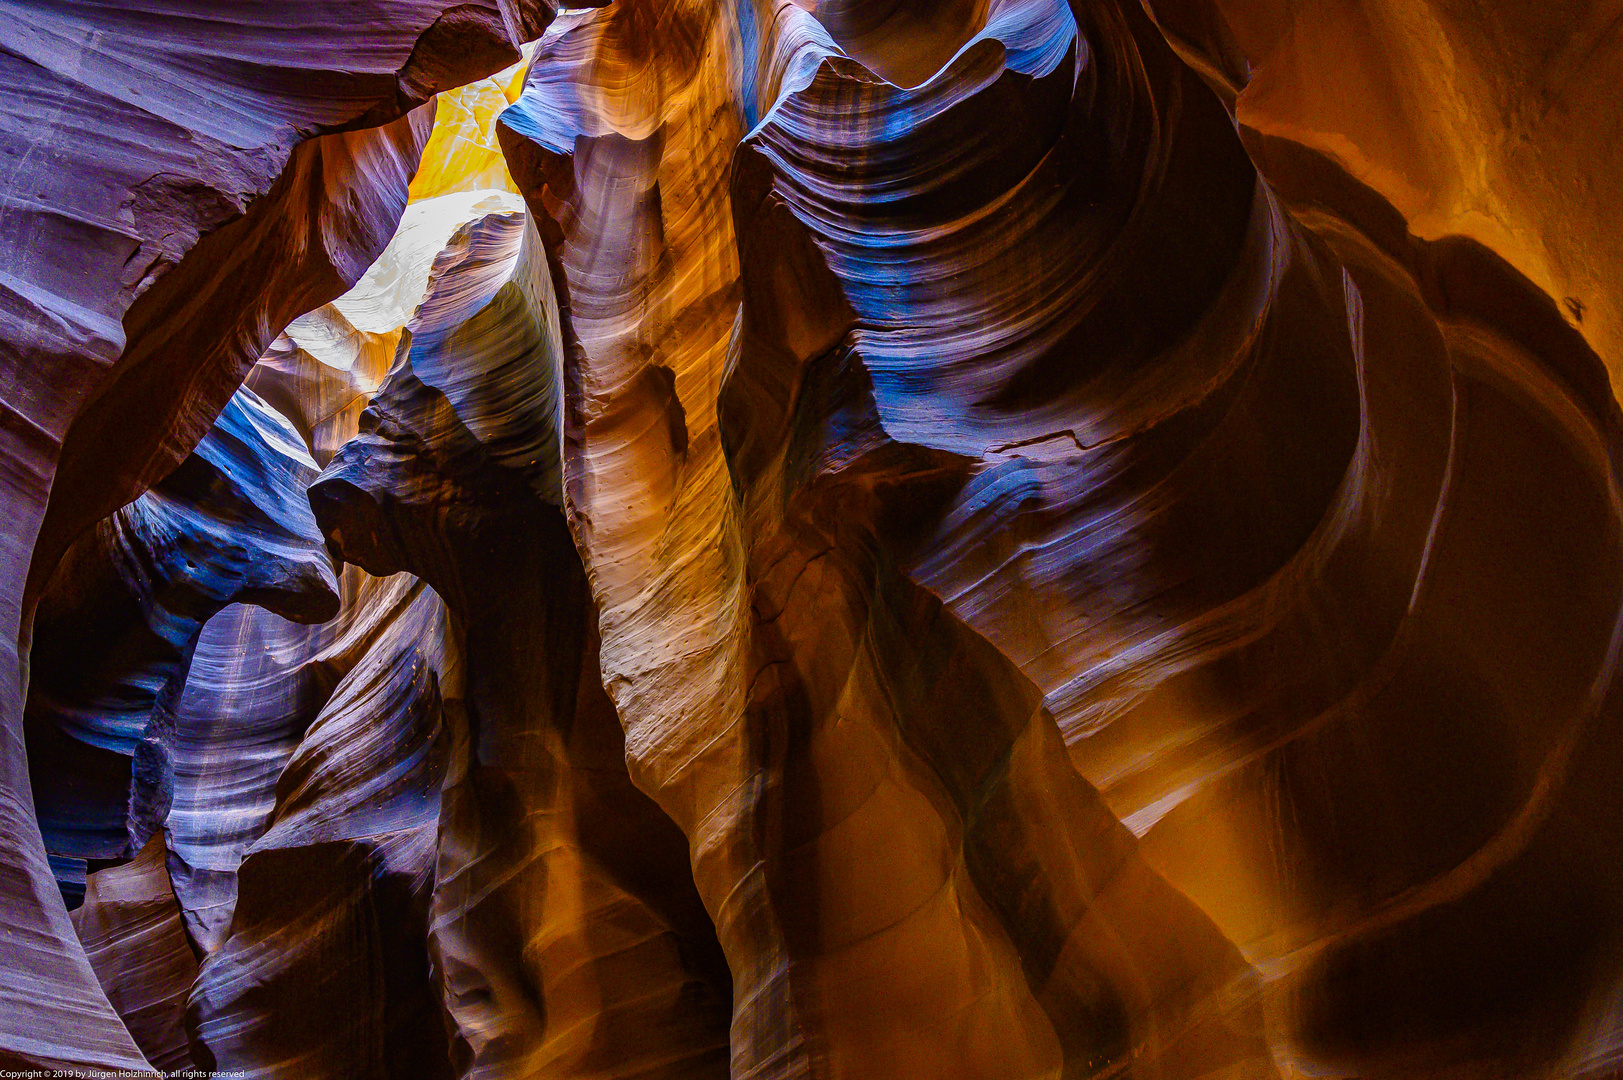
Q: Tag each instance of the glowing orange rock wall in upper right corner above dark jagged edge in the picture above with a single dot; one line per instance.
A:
(1494, 123)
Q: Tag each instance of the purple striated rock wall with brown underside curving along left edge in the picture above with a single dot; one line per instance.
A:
(179, 183)
